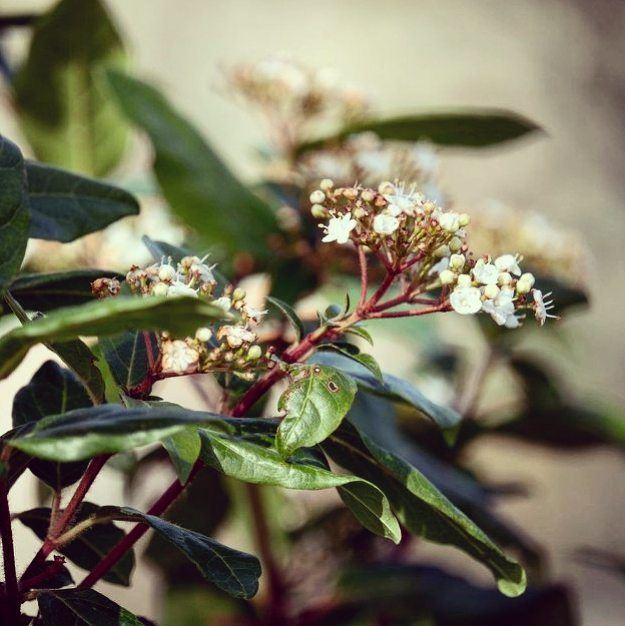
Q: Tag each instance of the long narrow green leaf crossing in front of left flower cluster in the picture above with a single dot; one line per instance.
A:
(106, 317)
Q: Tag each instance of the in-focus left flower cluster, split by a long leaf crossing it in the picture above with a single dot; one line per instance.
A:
(229, 347)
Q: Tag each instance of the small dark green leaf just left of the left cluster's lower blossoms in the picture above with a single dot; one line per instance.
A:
(127, 356)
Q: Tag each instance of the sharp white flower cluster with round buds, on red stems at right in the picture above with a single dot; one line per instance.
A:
(426, 244)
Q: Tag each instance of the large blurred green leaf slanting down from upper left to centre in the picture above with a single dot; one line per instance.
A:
(198, 186)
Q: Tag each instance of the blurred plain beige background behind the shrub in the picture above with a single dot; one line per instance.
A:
(558, 63)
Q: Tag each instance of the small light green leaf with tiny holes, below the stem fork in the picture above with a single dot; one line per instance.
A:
(315, 404)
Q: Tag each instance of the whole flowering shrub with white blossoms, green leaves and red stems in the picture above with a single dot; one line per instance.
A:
(292, 400)
